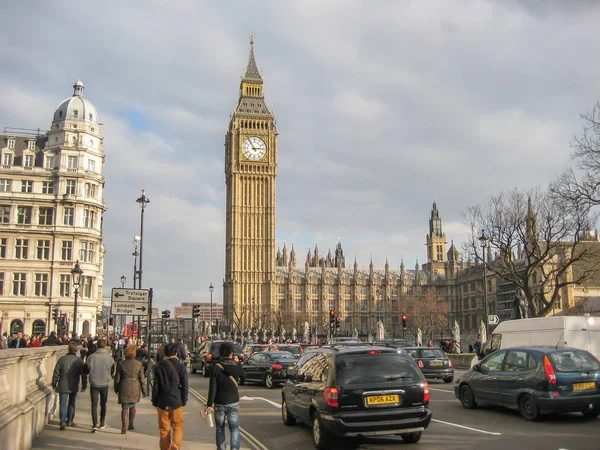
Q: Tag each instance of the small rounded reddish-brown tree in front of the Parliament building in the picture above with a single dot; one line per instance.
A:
(428, 312)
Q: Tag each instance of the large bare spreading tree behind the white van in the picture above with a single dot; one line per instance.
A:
(537, 239)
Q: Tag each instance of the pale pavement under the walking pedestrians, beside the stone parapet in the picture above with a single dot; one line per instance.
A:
(197, 435)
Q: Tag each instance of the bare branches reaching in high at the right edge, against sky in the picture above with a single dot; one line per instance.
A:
(583, 188)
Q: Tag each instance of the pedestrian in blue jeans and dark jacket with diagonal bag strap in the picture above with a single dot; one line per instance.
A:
(224, 397)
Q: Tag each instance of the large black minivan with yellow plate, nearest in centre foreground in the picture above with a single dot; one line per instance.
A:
(357, 391)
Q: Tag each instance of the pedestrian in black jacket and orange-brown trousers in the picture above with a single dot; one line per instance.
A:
(169, 396)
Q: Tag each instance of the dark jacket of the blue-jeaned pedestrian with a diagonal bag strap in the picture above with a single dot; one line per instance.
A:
(222, 389)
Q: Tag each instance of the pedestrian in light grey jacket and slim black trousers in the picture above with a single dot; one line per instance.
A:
(100, 368)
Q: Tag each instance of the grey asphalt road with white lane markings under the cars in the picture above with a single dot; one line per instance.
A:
(453, 427)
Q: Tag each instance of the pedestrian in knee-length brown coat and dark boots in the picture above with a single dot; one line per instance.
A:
(129, 382)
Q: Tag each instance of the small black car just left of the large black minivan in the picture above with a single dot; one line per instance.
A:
(270, 368)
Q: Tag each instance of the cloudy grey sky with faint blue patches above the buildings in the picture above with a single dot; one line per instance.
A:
(382, 108)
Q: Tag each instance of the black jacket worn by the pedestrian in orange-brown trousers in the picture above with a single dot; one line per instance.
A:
(166, 391)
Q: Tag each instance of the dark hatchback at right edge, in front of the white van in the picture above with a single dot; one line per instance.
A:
(535, 380)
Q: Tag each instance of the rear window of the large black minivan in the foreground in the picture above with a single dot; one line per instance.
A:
(374, 367)
